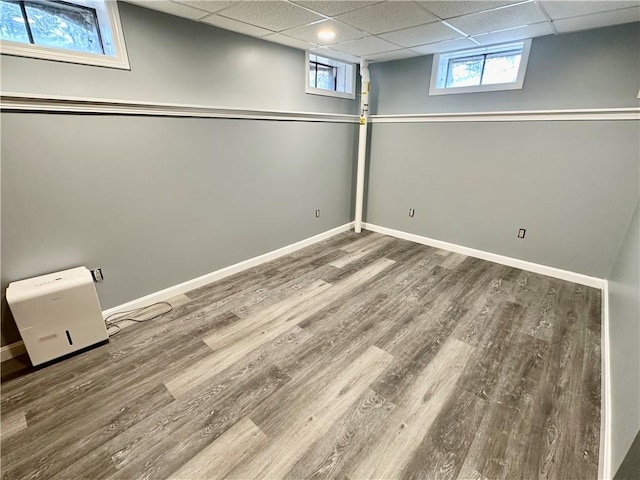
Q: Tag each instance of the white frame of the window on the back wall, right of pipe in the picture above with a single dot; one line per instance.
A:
(442, 59)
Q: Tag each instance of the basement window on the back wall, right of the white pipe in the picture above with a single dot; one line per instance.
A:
(484, 69)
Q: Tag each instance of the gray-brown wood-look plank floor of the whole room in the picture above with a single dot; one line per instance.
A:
(360, 357)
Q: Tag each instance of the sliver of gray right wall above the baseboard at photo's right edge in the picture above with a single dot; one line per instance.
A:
(624, 329)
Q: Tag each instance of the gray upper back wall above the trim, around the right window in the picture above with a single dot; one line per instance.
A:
(592, 69)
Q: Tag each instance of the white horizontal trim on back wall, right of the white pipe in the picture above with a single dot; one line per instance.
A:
(593, 114)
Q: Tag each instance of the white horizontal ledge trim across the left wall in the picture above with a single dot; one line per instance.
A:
(20, 102)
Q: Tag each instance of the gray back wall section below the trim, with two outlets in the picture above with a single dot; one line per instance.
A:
(570, 184)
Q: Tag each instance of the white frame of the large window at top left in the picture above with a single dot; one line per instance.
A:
(119, 60)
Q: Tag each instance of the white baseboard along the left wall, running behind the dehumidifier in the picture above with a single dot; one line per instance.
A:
(14, 349)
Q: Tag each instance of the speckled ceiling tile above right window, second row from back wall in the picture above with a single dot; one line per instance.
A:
(493, 20)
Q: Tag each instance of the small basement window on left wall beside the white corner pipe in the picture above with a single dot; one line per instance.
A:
(326, 76)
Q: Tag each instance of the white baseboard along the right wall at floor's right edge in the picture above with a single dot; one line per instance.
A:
(604, 463)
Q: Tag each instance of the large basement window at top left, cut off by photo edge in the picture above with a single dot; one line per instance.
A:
(77, 31)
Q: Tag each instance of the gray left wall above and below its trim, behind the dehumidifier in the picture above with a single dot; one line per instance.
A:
(158, 201)
